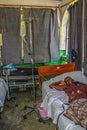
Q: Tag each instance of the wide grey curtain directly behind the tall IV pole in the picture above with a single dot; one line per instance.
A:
(40, 34)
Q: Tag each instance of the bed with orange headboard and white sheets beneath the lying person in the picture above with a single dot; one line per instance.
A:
(56, 102)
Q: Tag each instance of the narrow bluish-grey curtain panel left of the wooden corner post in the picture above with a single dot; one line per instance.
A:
(54, 36)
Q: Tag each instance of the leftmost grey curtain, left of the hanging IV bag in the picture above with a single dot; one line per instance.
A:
(9, 27)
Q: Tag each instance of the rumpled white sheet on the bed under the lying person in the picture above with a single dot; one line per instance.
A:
(53, 100)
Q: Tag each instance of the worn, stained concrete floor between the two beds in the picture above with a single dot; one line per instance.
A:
(12, 116)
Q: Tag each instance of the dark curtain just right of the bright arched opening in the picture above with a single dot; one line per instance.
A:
(73, 27)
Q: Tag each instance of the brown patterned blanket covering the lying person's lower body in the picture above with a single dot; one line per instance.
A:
(77, 112)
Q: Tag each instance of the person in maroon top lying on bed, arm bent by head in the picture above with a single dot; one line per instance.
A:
(74, 90)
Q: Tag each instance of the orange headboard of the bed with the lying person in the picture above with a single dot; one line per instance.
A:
(54, 70)
